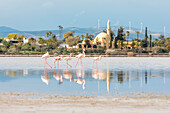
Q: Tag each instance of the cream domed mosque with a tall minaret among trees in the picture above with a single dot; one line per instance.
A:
(102, 39)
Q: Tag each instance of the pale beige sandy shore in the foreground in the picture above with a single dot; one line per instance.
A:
(38, 103)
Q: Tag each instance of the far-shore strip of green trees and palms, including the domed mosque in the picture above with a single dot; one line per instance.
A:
(106, 43)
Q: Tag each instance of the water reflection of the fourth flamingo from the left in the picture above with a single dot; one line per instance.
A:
(80, 78)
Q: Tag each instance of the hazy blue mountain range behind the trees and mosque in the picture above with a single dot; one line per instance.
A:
(4, 31)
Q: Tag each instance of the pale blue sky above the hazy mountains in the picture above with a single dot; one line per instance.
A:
(48, 14)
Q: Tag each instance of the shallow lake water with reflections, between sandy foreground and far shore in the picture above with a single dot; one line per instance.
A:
(112, 76)
